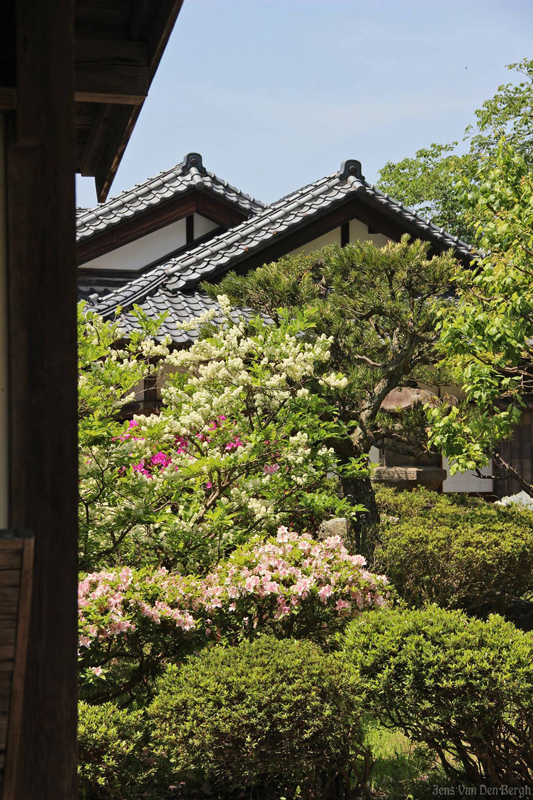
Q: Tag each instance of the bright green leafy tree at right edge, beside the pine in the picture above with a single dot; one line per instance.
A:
(488, 333)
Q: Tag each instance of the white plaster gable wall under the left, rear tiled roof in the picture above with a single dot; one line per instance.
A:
(153, 246)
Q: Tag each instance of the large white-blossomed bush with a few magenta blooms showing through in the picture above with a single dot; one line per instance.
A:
(239, 445)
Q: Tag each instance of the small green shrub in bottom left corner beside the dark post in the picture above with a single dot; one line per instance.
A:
(114, 757)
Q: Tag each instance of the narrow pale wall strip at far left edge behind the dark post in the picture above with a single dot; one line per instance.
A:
(4, 444)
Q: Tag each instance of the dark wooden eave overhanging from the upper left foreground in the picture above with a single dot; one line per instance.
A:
(118, 46)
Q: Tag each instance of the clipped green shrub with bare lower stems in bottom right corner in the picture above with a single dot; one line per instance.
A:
(462, 686)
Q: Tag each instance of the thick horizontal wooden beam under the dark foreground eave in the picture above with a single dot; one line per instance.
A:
(111, 72)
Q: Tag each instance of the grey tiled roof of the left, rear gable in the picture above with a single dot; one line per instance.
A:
(190, 174)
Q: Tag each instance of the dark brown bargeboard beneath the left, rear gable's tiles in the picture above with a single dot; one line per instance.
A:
(193, 201)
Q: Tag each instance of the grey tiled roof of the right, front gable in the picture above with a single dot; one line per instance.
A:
(174, 281)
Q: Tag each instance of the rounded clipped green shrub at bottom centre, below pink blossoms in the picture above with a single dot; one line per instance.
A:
(265, 716)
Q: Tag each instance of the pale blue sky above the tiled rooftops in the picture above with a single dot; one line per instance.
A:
(277, 93)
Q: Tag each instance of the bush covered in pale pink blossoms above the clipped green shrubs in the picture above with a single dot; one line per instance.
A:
(291, 585)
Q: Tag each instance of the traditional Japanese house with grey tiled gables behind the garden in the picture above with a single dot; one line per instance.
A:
(154, 244)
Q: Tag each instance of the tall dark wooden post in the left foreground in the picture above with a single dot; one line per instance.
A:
(42, 384)
